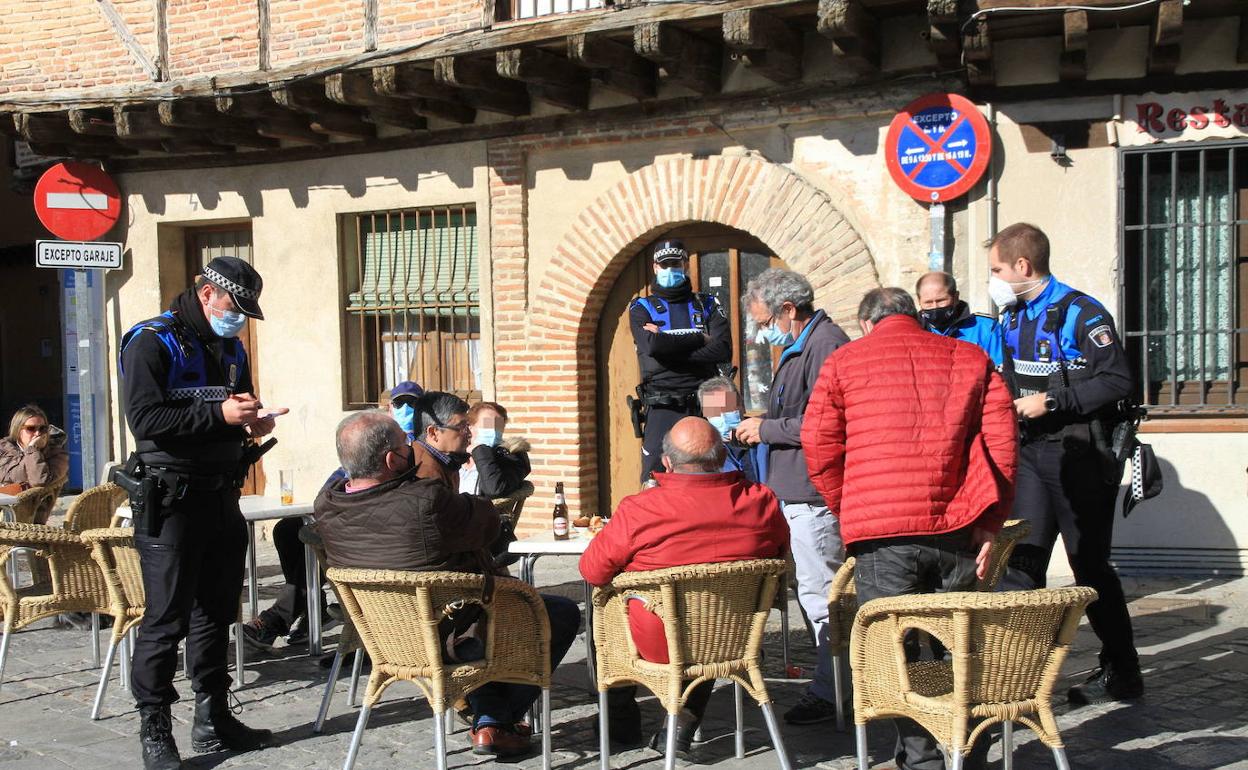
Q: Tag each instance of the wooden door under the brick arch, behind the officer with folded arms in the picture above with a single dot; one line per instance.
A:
(722, 263)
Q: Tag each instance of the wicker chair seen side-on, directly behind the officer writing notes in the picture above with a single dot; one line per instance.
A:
(114, 551)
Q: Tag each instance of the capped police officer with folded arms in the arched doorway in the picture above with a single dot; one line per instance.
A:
(682, 338)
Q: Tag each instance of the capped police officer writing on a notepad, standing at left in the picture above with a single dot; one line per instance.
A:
(188, 400)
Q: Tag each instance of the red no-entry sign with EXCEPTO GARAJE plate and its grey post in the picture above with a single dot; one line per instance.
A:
(79, 203)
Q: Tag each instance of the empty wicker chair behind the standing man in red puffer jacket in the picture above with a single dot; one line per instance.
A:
(1008, 652)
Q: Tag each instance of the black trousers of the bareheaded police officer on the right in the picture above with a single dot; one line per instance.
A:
(1063, 490)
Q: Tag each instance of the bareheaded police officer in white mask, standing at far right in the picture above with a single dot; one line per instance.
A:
(1070, 376)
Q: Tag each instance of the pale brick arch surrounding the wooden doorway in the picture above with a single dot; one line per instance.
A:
(796, 219)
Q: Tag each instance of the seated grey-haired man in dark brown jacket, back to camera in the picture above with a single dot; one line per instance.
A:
(385, 517)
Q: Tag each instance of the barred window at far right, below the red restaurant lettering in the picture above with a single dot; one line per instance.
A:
(1185, 260)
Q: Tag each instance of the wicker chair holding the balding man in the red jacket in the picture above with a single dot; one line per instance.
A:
(713, 616)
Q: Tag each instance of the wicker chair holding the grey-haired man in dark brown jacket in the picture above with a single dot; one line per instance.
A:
(396, 616)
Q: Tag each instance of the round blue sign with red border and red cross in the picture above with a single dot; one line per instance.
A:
(938, 148)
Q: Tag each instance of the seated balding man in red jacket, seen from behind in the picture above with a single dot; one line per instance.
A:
(696, 516)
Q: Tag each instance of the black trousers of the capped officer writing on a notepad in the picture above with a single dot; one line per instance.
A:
(193, 580)
